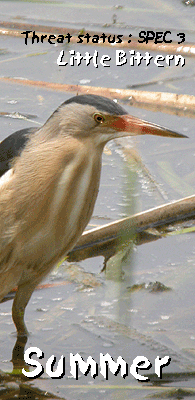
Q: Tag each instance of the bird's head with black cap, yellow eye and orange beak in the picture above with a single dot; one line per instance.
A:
(101, 119)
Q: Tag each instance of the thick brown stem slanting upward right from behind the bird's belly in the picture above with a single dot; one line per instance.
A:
(116, 232)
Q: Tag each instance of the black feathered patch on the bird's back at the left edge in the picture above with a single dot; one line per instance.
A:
(12, 146)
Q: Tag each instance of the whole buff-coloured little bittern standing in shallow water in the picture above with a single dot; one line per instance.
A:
(48, 192)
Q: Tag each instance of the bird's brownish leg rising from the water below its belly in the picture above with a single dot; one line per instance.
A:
(21, 300)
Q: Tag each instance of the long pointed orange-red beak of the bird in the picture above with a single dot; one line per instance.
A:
(136, 126)
